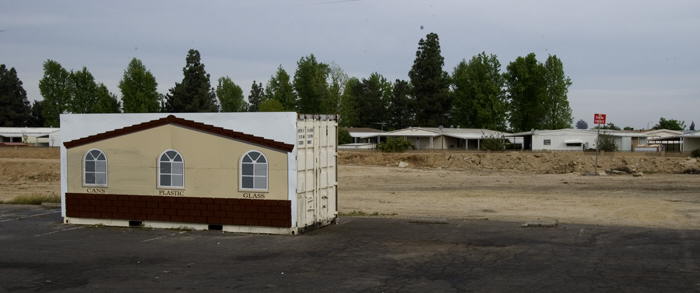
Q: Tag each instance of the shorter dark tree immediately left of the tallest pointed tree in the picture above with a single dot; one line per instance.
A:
(401, 107)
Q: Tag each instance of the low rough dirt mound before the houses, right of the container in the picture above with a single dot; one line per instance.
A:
(527, 162)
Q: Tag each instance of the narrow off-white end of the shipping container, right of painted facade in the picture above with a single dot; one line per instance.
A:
(316, 170)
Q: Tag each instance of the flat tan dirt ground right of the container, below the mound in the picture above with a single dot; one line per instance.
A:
(659, 200)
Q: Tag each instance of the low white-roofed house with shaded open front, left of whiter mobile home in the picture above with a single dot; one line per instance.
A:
(440, 138)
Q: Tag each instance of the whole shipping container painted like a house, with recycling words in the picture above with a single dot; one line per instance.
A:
(236, 172)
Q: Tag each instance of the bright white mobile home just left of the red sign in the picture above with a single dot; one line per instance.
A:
(556, 140)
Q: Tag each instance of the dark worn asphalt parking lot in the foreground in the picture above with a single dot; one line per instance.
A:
(38, 253)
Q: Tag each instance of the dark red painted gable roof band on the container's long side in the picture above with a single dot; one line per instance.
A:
(171, 119)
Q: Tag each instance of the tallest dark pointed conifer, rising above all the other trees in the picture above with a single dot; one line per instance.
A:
(430, 83)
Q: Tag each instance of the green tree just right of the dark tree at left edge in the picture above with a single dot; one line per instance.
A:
(55, 87)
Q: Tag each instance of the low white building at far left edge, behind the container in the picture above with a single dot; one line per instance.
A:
(39, 136)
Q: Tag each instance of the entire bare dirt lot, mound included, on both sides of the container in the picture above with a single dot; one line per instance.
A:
(462, 185)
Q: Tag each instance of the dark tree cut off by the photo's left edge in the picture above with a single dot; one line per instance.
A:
(14, 106)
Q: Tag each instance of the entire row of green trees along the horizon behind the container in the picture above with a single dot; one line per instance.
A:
(529, 94)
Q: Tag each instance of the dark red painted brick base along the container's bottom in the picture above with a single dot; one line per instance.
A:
(215, 211)
